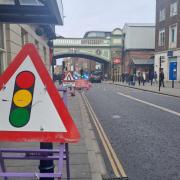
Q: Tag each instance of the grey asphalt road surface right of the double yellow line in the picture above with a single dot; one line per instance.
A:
(146, 138)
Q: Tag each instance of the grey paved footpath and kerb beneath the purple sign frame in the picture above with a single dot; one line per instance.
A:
(86, 161)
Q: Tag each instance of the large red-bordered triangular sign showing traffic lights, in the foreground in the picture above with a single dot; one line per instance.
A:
(31, 108)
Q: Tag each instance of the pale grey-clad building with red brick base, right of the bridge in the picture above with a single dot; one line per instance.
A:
(139, 45)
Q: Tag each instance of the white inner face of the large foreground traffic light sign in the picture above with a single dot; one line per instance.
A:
(43, 115)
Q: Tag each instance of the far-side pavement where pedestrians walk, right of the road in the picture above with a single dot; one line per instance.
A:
(167, 90)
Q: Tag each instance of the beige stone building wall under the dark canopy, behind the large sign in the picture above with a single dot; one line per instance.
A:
(14, 36)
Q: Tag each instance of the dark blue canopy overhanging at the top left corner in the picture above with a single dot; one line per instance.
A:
(31, 11)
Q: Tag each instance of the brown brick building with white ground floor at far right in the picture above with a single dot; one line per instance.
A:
(168, 38)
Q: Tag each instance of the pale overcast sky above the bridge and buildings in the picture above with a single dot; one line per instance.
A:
(103, 15)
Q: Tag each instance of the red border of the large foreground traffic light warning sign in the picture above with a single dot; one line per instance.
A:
(72, 135)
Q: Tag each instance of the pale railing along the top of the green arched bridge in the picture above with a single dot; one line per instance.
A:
(80, 42)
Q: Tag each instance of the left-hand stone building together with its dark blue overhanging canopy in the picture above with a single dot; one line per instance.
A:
(36, 25)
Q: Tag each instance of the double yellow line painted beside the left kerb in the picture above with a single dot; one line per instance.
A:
(114, 161)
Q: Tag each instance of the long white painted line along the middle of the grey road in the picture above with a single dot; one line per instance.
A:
(150, 104)
